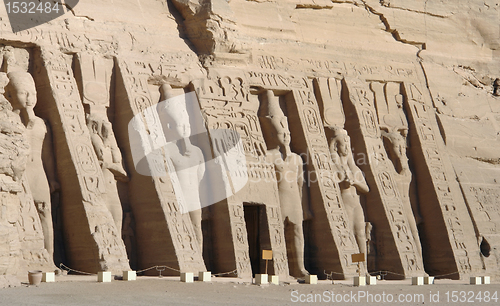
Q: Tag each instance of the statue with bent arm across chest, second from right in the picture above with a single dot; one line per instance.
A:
(351, 183)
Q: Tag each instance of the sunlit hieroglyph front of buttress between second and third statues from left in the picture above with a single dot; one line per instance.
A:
(181, 232)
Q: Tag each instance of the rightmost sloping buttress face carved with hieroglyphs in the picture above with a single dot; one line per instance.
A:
(457, 222)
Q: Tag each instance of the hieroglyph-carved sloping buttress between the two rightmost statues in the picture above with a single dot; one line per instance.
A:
(384, 195)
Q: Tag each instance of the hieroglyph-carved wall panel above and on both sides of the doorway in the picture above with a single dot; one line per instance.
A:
(226, 105)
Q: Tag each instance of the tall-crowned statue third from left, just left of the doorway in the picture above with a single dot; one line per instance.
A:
(187, 159)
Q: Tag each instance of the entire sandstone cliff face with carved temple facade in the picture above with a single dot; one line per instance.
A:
(316, 129)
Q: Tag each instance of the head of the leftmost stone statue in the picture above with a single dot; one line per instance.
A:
(21, 90)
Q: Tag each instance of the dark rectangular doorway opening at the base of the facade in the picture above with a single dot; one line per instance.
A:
(253, 216)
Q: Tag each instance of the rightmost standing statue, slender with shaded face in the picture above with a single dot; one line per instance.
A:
(396, 150)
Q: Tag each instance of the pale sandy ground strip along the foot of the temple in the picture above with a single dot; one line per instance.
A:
(85, 290)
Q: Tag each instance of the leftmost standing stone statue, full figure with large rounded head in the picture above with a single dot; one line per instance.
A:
(40, 169)
